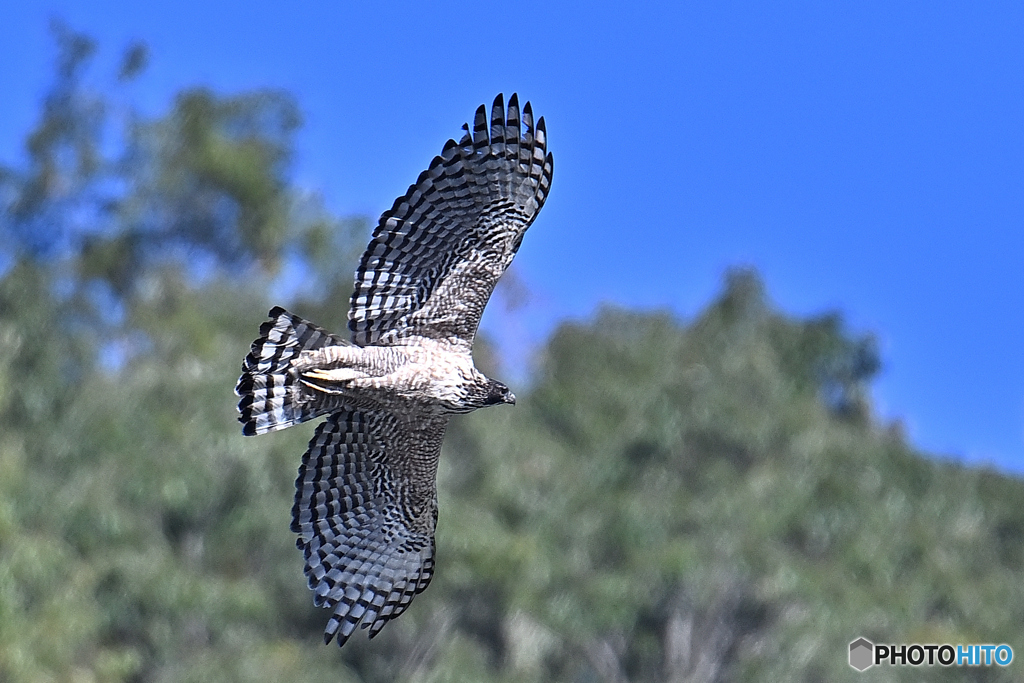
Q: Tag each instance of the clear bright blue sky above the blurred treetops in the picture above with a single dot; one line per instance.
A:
(867, 157)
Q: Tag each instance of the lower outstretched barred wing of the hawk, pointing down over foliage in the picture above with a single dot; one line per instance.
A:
(366, 508)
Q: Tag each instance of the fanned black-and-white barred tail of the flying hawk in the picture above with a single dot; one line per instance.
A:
(272, 396)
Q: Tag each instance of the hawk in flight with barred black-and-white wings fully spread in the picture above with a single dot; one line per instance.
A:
(366, 501)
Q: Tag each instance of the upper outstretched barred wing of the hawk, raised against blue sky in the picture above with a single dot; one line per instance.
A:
(436, 258)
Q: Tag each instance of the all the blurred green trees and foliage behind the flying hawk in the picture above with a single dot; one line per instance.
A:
(703, 501)
